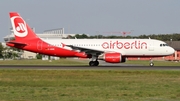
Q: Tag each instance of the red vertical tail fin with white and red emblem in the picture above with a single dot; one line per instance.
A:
(21, 30)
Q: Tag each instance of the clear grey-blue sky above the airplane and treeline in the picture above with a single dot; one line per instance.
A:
(95, 16)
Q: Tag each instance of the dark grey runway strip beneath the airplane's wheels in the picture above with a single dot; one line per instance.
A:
(42, 67)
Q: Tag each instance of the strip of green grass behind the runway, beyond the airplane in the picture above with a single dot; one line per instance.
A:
(76, 62)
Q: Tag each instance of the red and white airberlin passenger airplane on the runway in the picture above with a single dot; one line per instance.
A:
(109, 50)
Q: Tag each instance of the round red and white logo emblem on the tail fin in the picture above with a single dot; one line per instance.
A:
(19, 26)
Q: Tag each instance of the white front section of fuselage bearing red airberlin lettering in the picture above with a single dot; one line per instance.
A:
(127, 47)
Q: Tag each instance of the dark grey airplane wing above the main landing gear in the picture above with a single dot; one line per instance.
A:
(86, 50)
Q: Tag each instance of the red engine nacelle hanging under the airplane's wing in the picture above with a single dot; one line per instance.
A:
(112, 57)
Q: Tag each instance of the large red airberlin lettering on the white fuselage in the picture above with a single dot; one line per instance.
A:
(125, 45)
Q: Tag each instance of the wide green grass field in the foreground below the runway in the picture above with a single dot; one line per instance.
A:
(89, 85)
